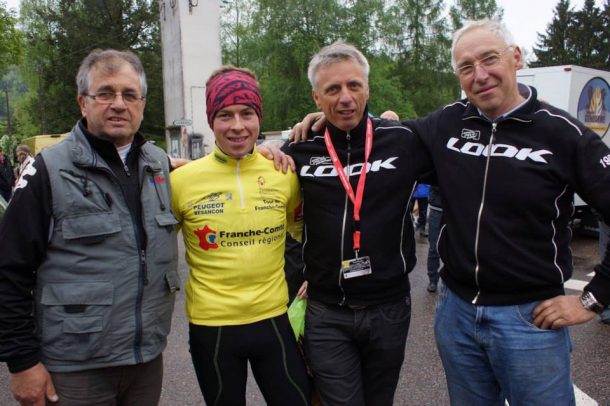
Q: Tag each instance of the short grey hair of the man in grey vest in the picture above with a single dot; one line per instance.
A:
(110, 60)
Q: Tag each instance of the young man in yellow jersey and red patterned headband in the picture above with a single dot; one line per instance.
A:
(235, 209)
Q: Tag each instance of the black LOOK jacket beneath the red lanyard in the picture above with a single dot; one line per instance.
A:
(387, 232)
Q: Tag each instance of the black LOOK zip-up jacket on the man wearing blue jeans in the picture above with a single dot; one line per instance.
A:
(507, 187)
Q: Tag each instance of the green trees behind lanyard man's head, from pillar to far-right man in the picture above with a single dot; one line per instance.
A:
(406, 42)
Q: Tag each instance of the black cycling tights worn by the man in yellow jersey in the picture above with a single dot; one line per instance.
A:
(221, 354)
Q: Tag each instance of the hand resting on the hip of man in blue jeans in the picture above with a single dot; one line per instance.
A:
(561, 311)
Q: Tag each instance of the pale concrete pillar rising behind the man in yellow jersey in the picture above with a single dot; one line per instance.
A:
(190, 35)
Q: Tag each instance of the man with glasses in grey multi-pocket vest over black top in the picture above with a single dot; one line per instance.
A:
(88, 271)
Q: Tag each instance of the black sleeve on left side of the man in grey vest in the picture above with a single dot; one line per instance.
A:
(24, 234)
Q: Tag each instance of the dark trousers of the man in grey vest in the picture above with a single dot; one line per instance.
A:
(130, 385)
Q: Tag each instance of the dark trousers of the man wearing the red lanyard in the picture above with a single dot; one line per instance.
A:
(356, 354)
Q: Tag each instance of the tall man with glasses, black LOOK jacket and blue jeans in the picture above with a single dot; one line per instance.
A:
(508, 166)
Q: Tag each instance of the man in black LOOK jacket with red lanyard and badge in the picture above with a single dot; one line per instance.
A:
(357, 178)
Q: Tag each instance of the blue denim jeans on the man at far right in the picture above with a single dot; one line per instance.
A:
(492, 353)
